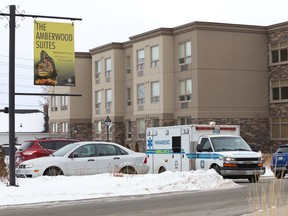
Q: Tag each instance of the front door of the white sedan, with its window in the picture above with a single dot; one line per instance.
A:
(82, 161)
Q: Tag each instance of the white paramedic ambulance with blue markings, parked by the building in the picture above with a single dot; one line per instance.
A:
(193, 147)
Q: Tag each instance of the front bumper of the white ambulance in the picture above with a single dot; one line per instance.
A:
(241, 173)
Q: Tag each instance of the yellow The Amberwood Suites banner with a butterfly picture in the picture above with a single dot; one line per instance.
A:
(54, 59)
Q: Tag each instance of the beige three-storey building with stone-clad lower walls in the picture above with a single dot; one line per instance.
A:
(194, 73)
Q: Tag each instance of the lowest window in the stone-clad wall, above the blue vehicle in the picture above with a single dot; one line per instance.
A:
(279, 128)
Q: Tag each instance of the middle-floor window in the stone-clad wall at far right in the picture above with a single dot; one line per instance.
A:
(279, 90)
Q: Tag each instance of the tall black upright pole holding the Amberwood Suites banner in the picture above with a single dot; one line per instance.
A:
(12, 95)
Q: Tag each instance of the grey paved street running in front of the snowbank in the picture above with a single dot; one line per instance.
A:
(218, 202)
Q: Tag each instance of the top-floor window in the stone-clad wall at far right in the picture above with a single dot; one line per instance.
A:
(278, 52)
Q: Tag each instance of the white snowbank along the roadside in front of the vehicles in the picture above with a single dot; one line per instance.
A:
(67, 188)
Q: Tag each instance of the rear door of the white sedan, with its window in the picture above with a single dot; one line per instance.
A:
(109, 158)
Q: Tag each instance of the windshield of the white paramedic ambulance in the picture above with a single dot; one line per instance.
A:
(229, 144)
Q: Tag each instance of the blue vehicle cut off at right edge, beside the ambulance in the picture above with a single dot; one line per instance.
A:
(279, 162)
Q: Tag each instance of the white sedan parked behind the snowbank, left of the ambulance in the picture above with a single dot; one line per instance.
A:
(86, 158)
